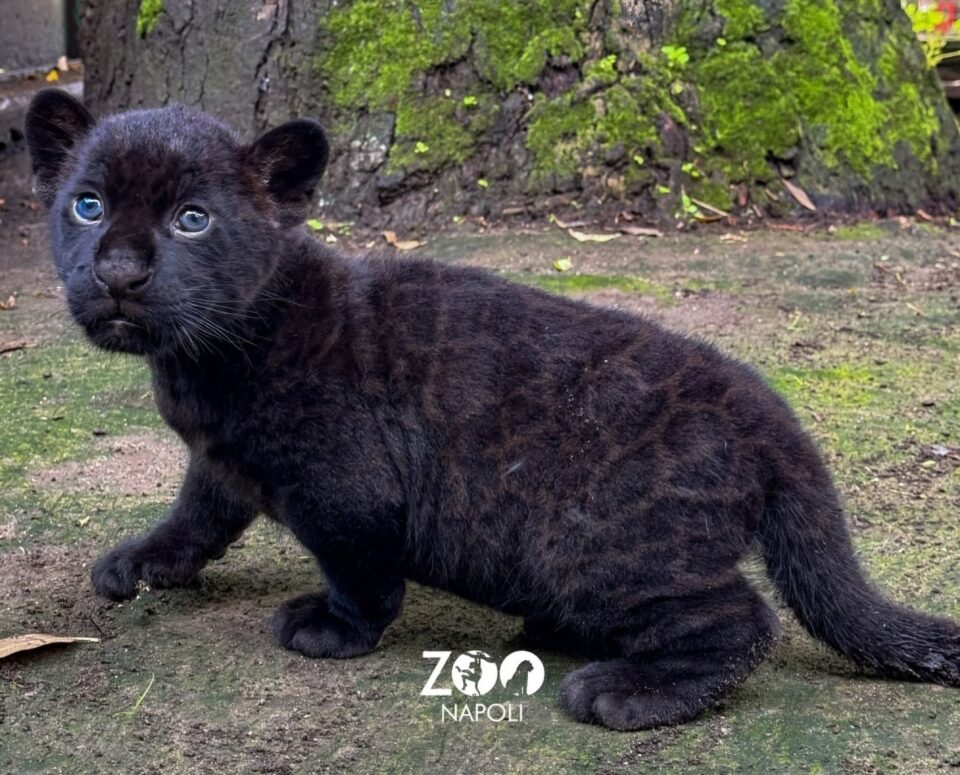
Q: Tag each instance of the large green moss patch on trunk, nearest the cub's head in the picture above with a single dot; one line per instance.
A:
(382, 53)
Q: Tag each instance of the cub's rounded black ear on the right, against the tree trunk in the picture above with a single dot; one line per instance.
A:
(291, 159)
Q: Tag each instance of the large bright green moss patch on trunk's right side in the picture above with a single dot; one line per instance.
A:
(813, 92)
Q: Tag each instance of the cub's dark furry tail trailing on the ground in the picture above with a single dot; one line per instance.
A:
(811, 560)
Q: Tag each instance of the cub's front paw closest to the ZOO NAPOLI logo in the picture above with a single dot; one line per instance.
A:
(305, 624)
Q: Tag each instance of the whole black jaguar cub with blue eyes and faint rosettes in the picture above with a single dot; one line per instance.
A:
(580, 467)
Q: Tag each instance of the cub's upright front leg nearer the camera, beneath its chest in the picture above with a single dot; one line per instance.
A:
(360, 557)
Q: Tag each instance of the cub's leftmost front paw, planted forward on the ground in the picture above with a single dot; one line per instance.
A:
(117, 575)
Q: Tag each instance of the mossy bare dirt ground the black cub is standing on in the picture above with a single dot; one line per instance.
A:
(858, 326)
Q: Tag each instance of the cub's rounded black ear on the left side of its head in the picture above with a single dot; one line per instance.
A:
(55, 122)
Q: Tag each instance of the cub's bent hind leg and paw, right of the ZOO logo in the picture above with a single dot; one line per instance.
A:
(681, 657)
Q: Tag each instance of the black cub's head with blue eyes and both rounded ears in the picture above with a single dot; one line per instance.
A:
(164, 225)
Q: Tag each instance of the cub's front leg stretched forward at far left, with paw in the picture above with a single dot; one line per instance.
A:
(203, 522)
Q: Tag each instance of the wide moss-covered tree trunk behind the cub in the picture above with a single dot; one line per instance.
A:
(667, 108)
